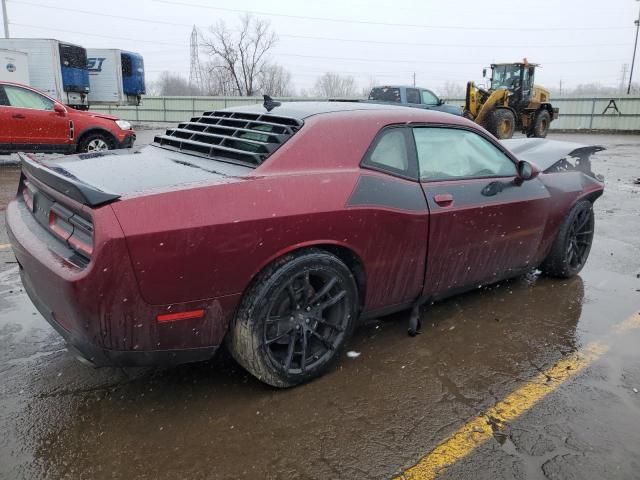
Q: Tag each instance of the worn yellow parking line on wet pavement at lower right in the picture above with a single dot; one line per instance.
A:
(476, 432)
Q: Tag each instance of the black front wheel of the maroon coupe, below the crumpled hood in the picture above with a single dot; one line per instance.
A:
(572, 245)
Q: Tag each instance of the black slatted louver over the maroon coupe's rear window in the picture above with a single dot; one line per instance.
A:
(236, 137)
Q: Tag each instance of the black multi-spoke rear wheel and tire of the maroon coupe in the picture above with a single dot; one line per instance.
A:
(288, 329)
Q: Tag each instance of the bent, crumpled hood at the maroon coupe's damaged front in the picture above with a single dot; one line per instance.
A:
(546, 153)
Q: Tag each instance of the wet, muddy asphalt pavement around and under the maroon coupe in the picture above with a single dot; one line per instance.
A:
(373, 416)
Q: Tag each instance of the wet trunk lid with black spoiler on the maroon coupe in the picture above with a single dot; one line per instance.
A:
(102, 177)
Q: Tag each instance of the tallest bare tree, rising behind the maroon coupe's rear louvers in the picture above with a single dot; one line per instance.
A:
(241, 53)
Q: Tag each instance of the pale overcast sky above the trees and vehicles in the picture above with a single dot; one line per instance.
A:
(576, 41)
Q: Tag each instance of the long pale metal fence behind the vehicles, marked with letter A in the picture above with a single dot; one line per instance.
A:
(576, 113)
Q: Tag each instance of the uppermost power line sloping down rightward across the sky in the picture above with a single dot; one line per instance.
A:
(386, 24)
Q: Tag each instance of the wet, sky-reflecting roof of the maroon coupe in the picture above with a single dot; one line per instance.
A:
(302, 110)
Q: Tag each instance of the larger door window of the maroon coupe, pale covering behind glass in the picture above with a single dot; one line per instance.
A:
(447, 153)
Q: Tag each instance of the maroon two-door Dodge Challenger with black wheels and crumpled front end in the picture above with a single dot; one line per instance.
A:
(275, 228)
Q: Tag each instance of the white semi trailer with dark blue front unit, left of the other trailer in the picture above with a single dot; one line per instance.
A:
(57, 68)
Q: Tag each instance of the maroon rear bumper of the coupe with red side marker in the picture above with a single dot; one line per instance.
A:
(98, 309)
